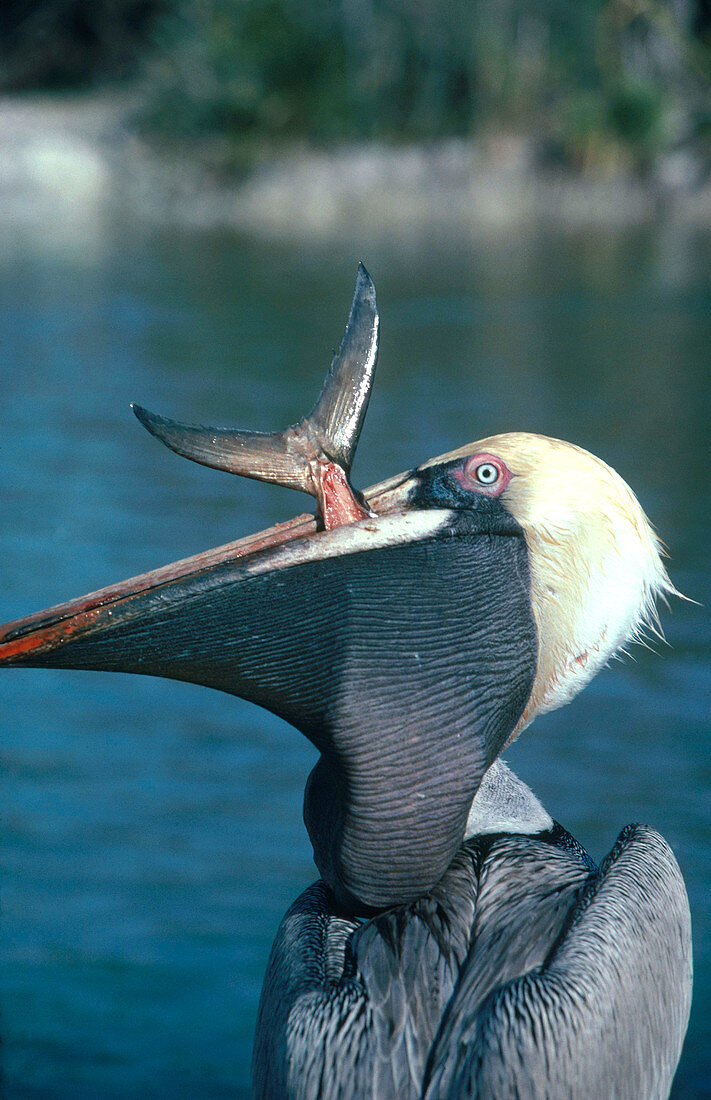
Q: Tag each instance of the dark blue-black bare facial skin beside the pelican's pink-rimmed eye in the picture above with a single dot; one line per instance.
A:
(437, 488)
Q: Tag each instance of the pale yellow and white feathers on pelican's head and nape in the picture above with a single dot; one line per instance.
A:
(596, 562)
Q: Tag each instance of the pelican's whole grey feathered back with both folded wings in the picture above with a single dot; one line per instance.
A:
(527, 973)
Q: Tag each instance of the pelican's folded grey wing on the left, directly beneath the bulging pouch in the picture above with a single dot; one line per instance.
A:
(351, 1011)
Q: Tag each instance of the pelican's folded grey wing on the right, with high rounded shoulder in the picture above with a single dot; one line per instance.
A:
(607, 1011)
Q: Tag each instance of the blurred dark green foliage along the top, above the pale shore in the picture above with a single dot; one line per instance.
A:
(598, 83)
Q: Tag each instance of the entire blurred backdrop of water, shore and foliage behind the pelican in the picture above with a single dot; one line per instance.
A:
(185, 190)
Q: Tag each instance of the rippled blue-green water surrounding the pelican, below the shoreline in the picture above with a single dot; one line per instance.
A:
(151, 831)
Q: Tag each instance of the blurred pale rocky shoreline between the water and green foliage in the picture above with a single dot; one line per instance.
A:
(79, 159)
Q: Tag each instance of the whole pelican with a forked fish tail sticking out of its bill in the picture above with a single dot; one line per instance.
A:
(460, 943)
